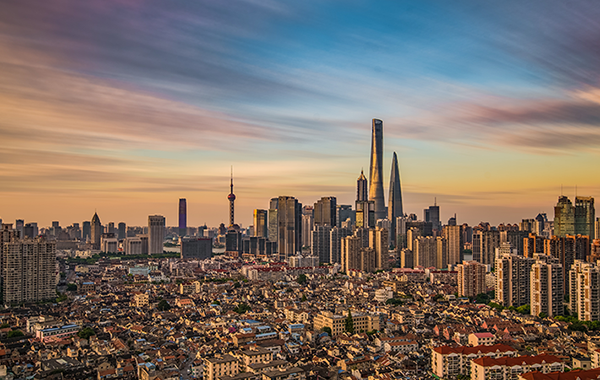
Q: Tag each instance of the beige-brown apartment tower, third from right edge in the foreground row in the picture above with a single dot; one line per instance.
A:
(512, 277)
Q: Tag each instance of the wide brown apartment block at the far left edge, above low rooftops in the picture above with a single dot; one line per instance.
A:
(28, 271)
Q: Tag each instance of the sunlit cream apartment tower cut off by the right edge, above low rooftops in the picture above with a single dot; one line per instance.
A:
(584, 290)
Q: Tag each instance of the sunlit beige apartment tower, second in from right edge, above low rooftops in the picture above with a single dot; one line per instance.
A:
(546, 286)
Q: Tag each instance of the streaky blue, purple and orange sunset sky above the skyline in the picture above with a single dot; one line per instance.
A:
(124, 106)
